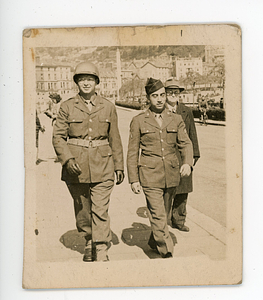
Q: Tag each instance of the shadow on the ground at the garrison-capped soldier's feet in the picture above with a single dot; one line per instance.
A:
(138, 235)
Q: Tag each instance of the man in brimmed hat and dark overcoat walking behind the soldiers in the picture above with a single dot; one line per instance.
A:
(178, 214)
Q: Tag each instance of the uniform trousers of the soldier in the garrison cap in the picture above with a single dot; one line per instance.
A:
(159, 201)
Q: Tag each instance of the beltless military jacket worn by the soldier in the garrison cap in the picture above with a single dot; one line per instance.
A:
(153, 150)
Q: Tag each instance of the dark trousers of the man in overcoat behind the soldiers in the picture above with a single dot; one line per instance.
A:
(179, 209)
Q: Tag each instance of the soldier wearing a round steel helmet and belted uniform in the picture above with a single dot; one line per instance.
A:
(87, 142)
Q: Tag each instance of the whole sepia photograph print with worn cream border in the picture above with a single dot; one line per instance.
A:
(132, 156)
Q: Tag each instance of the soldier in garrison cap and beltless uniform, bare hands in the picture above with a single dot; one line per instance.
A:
(156, 138)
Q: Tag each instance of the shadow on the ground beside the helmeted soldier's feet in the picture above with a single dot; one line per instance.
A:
(75, 240)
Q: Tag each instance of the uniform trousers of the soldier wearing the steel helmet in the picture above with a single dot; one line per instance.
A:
(91, 204)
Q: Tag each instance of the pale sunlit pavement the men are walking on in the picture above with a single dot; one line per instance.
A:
(58, 240)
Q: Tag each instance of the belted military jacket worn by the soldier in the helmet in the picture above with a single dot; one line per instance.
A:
(75, 120)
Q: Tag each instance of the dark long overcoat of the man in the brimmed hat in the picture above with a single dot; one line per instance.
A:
(186, 183)
